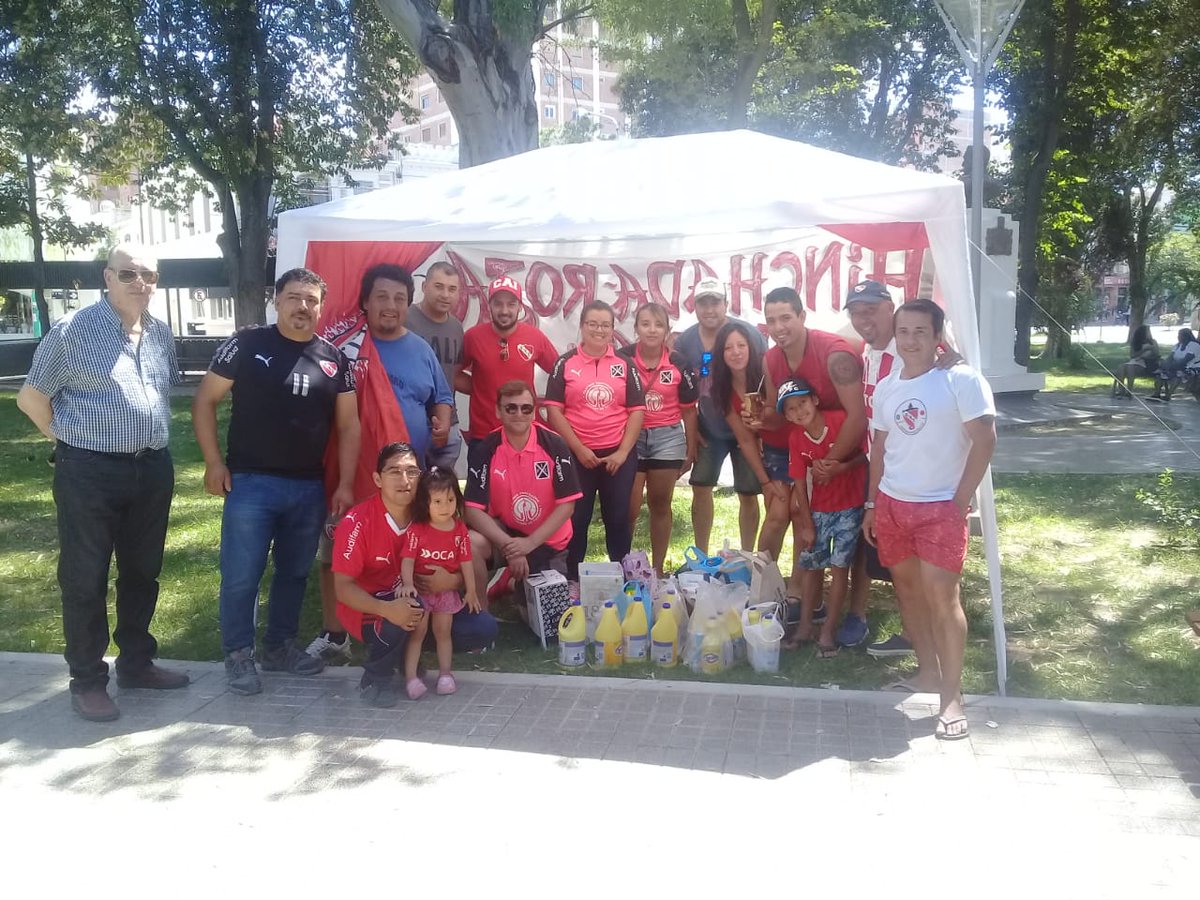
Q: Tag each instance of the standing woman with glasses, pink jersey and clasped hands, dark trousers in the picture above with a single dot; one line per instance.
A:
(595, 401)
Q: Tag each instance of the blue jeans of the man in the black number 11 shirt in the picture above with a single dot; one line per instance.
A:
(261, 512)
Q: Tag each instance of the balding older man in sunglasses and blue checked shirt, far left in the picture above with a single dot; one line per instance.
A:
(100, 388)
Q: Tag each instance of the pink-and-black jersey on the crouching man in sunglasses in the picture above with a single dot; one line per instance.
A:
(521, 488)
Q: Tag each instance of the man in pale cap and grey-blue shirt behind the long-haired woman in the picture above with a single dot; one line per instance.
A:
(717, 440)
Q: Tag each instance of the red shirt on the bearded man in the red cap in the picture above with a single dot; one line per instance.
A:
(483, 355)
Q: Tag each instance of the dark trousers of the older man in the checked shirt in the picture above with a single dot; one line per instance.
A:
(110, 506)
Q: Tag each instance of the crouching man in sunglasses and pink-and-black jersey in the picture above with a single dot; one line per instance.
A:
(521, 491)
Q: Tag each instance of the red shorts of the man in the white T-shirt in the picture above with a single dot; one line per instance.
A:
(933, 532)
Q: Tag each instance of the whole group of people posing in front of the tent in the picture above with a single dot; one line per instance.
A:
(344, 441)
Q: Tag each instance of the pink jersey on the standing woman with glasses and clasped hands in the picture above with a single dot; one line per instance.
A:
(597, 394)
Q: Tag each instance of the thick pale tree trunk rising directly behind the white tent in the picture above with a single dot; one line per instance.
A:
(484, 74)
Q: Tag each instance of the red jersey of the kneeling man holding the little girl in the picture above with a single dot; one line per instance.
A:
(367, 548)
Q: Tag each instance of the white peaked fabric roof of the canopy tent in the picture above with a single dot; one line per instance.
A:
(693, 184)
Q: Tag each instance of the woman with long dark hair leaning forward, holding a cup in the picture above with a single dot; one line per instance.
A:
(739, 371)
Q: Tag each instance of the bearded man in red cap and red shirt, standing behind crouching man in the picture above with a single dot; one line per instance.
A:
(494, 353)
